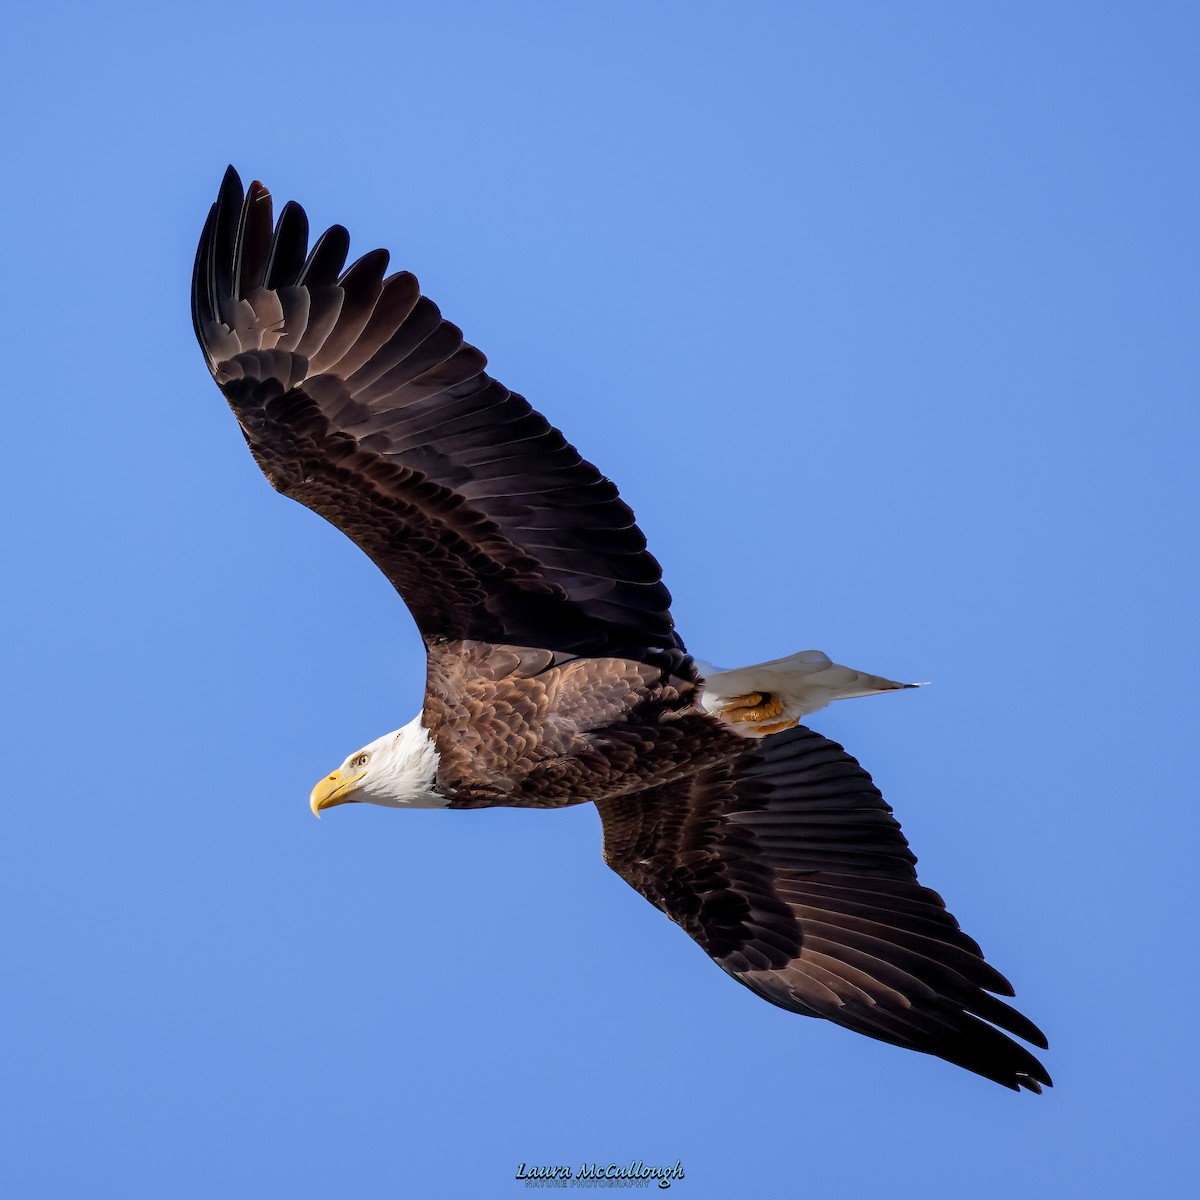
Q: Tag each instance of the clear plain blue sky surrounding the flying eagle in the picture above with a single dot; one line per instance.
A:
(885, 320)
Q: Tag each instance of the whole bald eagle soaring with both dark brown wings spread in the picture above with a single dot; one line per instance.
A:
(555, 673)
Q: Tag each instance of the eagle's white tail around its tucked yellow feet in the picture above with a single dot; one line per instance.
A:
(803, 683)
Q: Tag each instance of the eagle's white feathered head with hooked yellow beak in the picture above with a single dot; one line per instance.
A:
(399, 771)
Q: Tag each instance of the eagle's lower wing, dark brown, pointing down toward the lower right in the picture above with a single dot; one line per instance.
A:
(787, 866)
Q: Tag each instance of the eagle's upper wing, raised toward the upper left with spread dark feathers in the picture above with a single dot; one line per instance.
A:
(362, 403)
